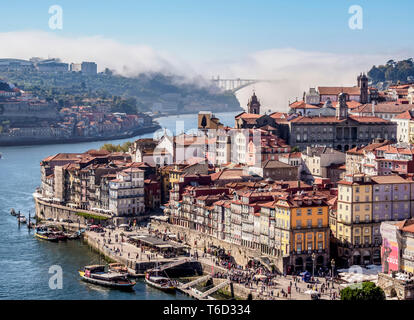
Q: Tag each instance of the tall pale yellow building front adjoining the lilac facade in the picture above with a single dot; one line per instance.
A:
(354, 219)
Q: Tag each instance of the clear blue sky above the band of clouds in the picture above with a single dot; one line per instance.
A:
(225, 29)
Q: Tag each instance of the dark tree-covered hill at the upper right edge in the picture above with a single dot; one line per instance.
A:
(392, 72)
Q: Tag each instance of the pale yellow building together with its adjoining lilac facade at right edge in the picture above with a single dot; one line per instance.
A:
(363, 203)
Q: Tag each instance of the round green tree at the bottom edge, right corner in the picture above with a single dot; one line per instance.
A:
(367, 291)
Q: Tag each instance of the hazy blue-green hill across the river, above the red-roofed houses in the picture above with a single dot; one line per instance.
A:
(145, 89)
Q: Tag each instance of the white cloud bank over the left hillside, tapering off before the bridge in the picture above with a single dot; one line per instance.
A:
(128, 60)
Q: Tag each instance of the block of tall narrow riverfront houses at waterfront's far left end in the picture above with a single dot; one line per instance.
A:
(101, 182)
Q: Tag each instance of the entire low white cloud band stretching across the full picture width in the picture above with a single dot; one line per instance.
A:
(296, 70)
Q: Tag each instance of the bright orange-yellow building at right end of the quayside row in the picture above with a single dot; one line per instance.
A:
(302, 223)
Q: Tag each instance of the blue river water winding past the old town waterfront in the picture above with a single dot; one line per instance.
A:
(25, 260)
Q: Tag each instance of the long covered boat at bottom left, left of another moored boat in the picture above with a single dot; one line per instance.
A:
(96, 274)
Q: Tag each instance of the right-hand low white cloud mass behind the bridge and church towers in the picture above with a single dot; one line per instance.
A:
(297, 71)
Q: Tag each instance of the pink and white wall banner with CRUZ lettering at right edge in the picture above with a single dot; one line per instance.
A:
(389, 248)
